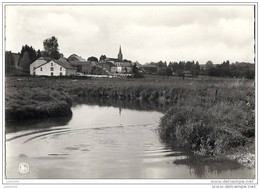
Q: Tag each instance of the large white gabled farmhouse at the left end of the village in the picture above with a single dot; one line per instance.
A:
(46, 67)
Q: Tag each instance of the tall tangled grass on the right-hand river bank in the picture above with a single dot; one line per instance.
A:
(212, 121)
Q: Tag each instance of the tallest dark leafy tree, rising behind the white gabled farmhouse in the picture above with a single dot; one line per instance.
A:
(51, 48)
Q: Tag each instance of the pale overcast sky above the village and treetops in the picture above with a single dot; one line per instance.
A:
(146, 33)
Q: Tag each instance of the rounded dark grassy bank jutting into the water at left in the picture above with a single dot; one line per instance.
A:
(24, 103)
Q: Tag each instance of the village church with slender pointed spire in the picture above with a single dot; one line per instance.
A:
(118, 65)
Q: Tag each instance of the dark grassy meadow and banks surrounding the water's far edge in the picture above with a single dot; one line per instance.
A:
(213, 117)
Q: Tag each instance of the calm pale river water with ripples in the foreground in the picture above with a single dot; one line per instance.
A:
(104, 142)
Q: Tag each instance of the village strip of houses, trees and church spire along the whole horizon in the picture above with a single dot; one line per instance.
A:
(50, 62)
